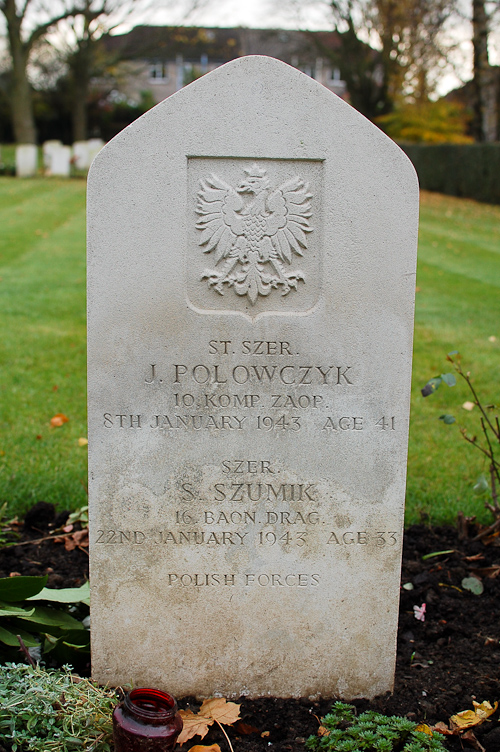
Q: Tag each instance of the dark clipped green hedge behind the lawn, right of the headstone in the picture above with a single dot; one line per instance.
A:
(466, 170)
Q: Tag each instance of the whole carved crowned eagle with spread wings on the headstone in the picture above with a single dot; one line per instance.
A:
(253, 239)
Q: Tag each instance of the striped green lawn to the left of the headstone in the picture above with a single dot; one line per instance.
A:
(42, 348)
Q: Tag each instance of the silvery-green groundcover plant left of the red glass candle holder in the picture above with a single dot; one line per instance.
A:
(53, 711)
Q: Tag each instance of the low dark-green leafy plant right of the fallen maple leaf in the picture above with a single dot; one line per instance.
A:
(373, 732)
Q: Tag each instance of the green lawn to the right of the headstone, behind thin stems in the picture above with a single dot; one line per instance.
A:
(457, 308)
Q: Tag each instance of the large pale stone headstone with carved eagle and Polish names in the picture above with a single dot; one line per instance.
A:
(252, 249)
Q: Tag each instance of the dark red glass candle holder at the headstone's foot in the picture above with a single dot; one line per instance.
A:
(146, 721)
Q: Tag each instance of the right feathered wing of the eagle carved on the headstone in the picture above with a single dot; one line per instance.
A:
(290, 207)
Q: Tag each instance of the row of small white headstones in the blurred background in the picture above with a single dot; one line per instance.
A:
(57, 158)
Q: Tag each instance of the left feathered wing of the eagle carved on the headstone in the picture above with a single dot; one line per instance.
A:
(218, 204)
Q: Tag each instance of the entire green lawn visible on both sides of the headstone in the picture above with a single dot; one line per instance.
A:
(42, 350)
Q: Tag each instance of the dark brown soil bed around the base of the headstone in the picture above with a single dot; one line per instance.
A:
(443, 663)
